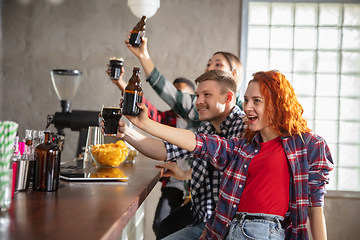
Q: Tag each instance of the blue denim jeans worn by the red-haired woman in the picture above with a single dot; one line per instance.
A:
(244, 229)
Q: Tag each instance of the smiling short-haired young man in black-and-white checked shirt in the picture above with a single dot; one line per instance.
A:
(216, 104)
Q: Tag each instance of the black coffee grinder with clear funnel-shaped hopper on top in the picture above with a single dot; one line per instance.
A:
(66, 83)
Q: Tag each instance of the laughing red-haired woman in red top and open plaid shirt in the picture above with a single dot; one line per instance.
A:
(274, 176)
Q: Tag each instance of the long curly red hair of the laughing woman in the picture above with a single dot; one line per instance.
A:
(282, 108)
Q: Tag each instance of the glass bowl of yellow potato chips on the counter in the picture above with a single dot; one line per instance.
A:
(109, 154)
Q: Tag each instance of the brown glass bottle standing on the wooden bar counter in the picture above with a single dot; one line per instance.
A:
(47, 165)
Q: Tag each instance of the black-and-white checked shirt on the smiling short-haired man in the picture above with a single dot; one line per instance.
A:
(205, 179)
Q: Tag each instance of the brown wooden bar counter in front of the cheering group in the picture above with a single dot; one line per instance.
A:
(80, 210)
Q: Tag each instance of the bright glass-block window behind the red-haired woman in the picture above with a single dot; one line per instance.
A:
(316, 45)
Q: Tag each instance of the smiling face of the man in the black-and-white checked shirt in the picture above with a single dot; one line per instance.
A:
(210, 101)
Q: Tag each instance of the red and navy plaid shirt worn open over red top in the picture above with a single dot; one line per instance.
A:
(309, 159)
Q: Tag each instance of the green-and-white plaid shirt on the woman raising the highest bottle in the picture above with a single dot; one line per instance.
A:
(182, 104)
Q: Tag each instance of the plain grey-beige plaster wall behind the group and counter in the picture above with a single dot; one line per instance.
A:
(84, 34)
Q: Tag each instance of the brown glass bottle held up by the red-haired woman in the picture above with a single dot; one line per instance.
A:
(133, 94)
